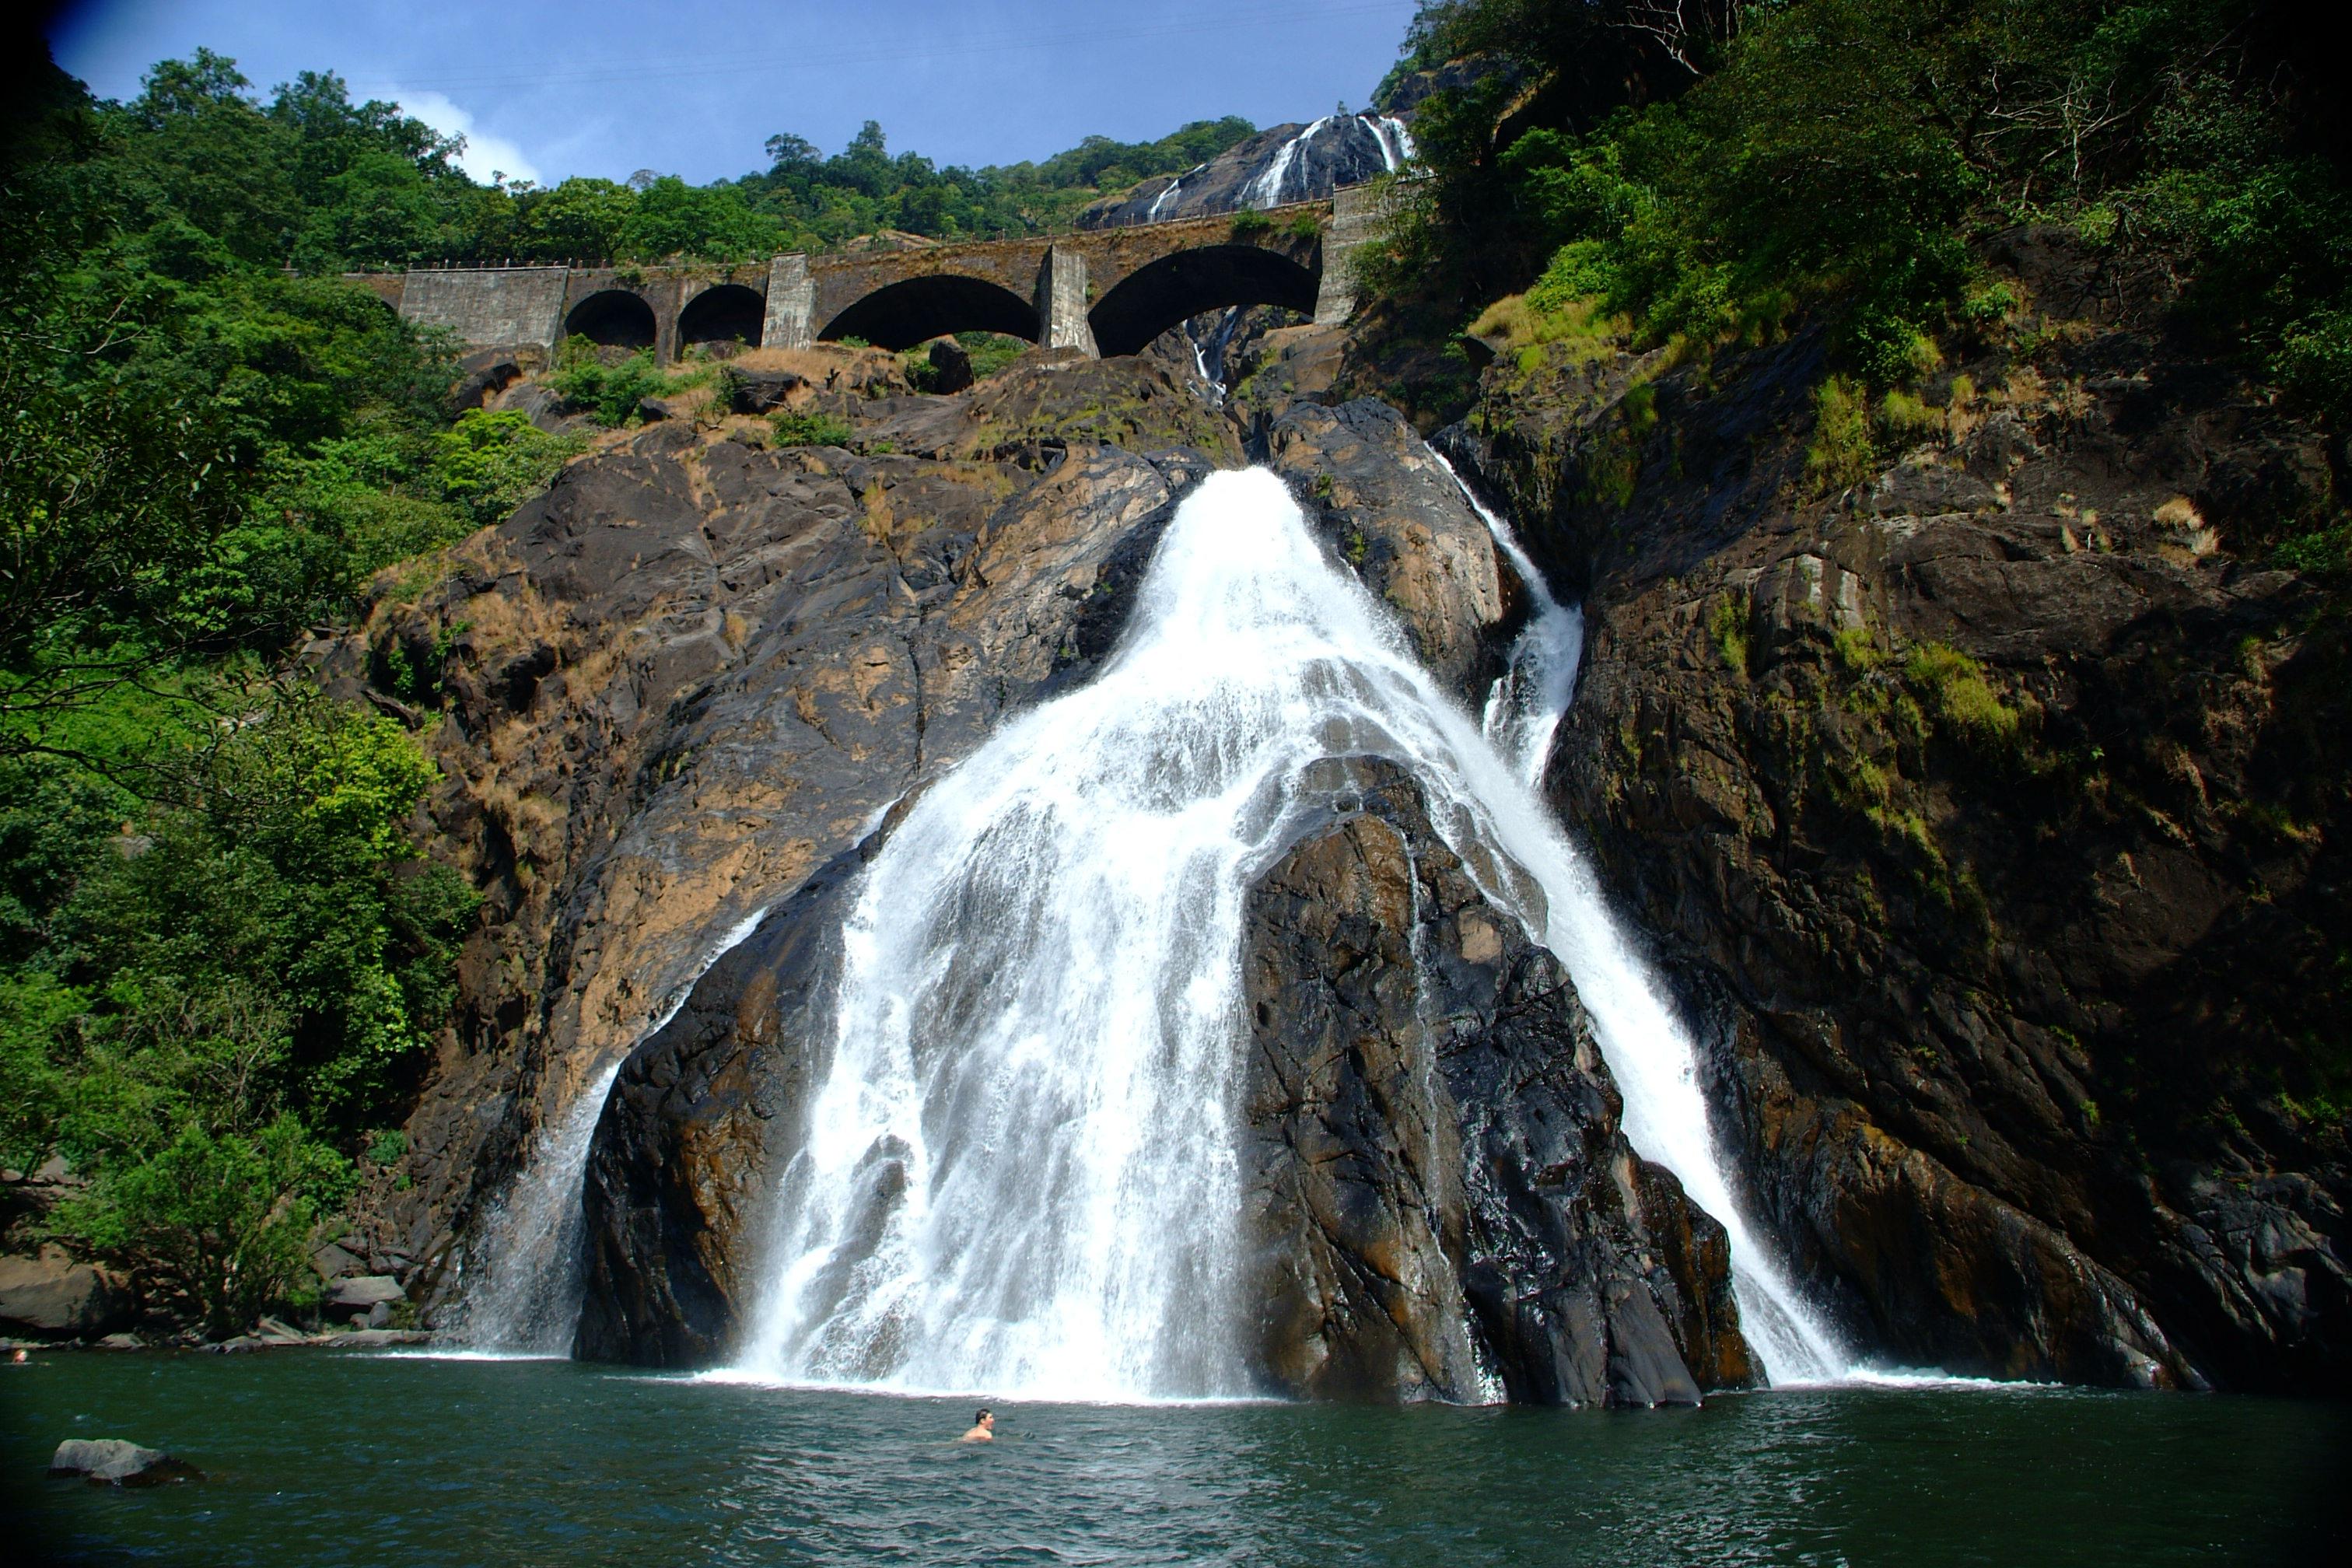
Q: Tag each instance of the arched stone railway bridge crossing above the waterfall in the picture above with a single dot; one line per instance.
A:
(1102, 293)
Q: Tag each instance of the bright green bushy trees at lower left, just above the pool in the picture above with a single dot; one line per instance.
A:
(215, 989)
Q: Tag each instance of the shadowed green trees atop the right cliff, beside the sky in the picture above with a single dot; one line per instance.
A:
(1716, 168)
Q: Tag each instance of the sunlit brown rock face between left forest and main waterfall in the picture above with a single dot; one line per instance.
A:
(697, 671)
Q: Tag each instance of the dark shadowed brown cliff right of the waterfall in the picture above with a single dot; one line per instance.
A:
(1989, 812)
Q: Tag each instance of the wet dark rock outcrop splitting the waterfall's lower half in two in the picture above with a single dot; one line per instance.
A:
(1441, 1195)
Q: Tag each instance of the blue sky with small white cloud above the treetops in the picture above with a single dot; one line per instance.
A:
(697, 88)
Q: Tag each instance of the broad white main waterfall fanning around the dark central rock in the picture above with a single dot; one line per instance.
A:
(1022, 1170)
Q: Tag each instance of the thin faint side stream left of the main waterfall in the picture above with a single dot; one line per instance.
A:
(530, 1294)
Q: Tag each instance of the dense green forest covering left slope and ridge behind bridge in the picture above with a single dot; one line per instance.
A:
(222, 958)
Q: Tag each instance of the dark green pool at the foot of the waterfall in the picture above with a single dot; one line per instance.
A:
(385, 1461)
